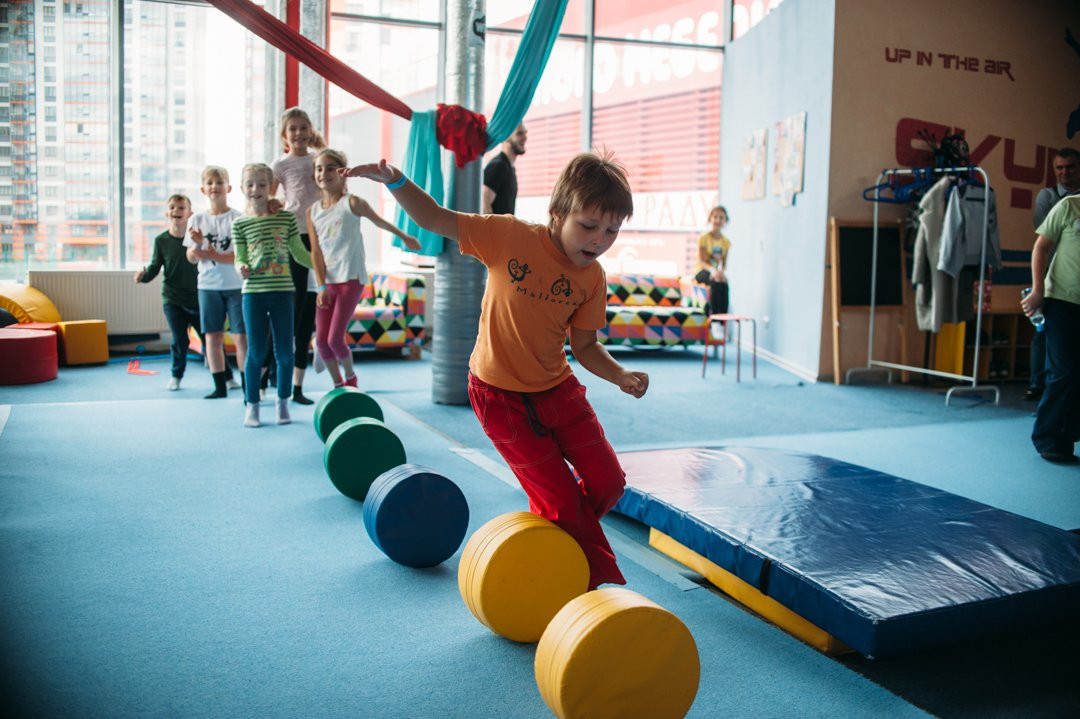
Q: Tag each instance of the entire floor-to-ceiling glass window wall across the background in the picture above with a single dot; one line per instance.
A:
(638, 78)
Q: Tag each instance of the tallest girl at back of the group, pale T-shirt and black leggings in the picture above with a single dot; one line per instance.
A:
(294, 172)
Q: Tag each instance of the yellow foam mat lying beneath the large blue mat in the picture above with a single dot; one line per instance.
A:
(749, 596)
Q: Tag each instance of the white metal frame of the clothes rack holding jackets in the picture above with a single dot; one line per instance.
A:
(877, 365)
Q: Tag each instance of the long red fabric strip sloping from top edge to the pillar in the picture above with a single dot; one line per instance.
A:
(295, 45)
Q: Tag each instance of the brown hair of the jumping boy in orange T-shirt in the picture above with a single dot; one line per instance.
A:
(592, 181)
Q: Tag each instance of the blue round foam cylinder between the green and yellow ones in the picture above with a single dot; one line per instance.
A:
(415, 517)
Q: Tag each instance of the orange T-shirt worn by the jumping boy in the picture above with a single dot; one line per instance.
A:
(534, 295)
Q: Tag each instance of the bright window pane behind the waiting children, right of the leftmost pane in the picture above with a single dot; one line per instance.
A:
(195, 85)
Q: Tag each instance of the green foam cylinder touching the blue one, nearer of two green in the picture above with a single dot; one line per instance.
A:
(358, 452)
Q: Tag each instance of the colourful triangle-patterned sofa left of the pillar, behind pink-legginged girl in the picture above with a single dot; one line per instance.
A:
(390, 315)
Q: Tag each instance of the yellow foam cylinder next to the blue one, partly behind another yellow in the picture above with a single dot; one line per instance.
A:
(518, 572)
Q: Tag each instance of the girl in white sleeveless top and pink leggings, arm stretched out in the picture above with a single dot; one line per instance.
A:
(337, 261)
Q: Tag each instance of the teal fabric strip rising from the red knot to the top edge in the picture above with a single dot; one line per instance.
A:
(530, 62)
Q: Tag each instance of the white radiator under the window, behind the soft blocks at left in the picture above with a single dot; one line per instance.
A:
(111, 295)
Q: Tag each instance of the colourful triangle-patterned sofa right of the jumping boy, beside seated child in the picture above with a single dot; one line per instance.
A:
(649, 310)
